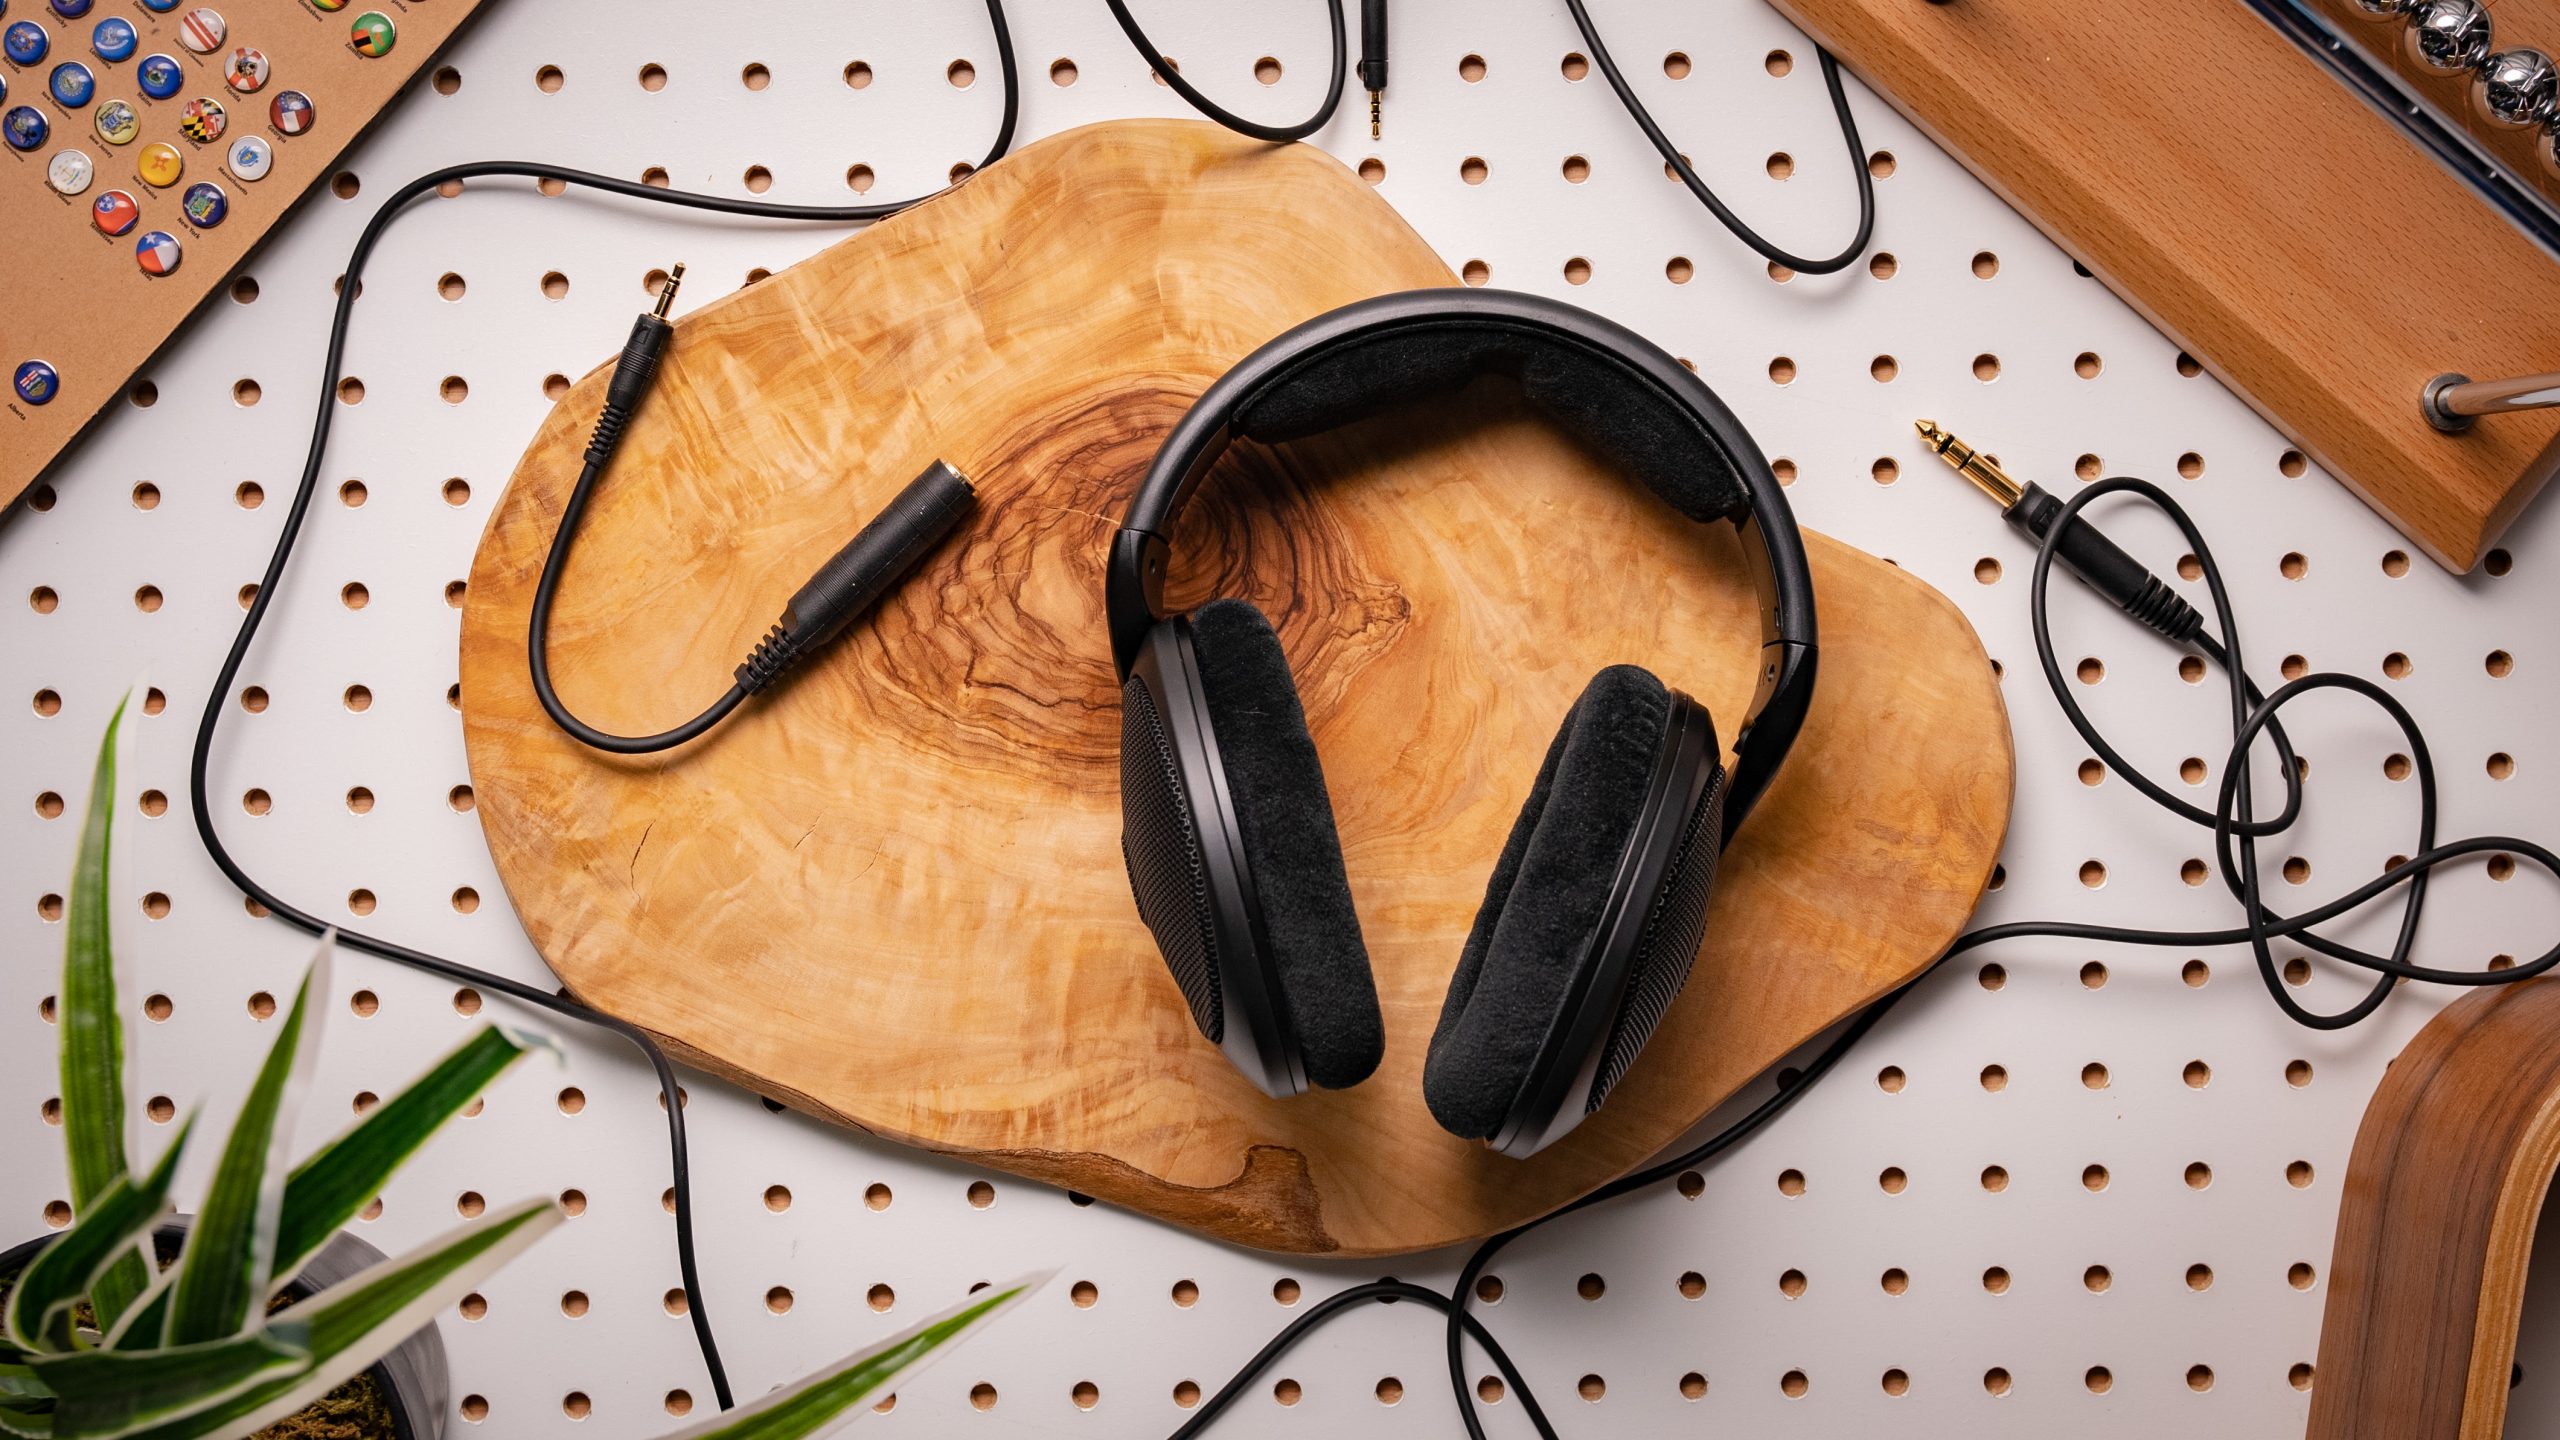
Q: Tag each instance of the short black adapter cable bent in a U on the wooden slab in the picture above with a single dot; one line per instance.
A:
(851, 583)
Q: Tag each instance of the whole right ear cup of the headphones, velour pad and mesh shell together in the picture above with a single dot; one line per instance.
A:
(1555, 893)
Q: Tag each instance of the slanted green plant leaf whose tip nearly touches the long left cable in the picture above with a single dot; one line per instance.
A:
(352, 1170)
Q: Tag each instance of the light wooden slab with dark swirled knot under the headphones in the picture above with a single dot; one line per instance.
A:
(892, 893)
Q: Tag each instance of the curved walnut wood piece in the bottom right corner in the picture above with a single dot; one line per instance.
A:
(2438, 1226)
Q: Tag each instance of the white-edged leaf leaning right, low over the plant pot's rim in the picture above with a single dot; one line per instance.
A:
(362, 1318)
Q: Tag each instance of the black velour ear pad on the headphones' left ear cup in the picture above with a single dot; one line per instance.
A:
(1289, 842)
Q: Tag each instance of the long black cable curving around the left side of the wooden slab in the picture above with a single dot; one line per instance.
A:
(265, 901)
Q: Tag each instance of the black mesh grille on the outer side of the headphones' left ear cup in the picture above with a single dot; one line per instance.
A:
(1164, 852)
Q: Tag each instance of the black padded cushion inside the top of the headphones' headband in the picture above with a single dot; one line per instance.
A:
(1601, 398)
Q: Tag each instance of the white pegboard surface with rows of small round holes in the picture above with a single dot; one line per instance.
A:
(1837, 1275)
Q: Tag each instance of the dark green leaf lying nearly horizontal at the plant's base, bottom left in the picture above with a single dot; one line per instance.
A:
(101, 1395)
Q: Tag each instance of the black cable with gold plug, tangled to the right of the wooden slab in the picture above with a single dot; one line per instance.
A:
(2083, 550)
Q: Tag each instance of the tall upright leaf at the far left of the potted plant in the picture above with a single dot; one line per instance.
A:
(93, 1039)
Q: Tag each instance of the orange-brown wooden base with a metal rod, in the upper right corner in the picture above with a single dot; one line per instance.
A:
(2259, 214)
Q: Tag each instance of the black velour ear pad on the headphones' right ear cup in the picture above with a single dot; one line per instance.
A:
(1545, 901)
